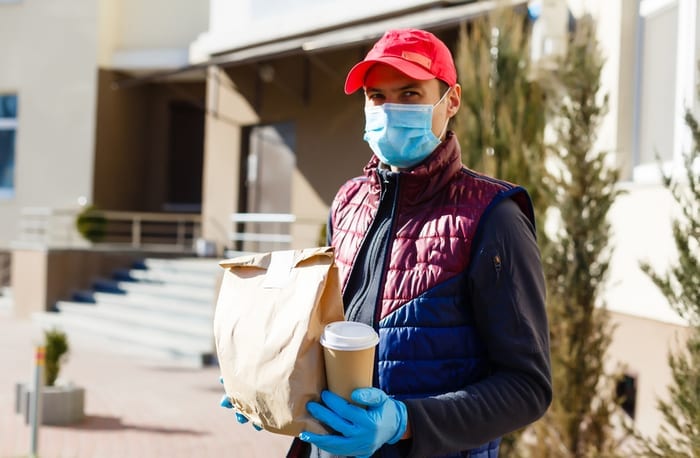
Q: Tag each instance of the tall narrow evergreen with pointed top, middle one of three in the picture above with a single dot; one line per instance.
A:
(580, 422)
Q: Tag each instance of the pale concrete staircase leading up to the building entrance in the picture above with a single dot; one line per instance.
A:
(160, 309)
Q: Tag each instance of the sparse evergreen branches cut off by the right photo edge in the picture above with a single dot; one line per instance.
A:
(680, 437)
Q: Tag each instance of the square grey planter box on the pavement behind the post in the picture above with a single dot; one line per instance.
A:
(60, 405)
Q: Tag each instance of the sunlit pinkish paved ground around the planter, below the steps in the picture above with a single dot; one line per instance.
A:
(135, 408)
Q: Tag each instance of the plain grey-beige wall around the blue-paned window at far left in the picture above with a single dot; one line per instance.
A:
(48, 59)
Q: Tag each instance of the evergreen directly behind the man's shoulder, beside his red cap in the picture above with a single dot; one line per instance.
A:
(502, 118)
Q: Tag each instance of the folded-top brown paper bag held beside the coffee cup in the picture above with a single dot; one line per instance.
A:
(270, 314)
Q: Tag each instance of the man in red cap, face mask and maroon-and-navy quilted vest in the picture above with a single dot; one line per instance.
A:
(443, 263)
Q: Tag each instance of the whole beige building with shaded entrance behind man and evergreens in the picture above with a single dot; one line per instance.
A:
(225, 106)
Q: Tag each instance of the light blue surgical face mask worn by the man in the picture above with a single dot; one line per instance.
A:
(401, 134)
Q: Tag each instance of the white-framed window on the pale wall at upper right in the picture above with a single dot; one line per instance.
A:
(666, 84)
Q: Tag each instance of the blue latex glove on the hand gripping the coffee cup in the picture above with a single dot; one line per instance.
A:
(362, 431)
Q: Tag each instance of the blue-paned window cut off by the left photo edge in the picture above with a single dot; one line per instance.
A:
(8, 133)
